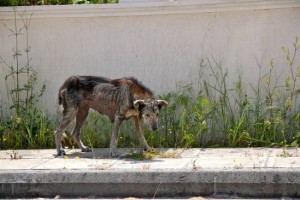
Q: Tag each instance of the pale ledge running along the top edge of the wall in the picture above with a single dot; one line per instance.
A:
(145, 7)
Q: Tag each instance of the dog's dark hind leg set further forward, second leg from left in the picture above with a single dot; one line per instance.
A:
(82, 113)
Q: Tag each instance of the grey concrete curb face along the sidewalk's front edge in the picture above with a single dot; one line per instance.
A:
(263, 183)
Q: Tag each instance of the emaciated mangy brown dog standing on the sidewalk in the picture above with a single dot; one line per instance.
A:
(119, 99)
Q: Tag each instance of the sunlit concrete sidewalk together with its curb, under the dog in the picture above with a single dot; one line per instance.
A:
(243, 172)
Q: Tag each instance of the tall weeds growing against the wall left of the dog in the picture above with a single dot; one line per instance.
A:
(23, 124)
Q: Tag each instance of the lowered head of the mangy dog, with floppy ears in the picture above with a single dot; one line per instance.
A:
(149, 111)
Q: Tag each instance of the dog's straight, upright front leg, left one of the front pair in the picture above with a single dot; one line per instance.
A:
(114, 136)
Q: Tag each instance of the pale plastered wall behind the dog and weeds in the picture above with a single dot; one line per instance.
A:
(160, 43)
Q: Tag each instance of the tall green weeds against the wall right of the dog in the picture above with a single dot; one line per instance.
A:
(220, 113)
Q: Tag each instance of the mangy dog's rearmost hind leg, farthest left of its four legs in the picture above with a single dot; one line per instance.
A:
(68, 116)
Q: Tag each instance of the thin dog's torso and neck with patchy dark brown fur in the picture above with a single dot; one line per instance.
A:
(77, 88)
